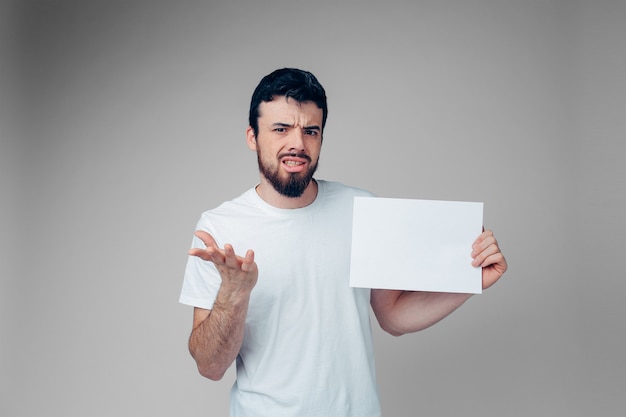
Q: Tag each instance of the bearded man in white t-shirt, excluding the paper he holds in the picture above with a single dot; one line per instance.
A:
(283, 310)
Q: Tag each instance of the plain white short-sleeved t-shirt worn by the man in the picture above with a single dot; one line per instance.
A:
(307, 348)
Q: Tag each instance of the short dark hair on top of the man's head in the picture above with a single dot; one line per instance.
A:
(291, 83)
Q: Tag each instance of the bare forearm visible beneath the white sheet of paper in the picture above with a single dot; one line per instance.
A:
(400, 312)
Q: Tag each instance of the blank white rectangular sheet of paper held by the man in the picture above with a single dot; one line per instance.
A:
(419, 245)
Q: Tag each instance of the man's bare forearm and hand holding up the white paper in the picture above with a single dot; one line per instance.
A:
(399, 312)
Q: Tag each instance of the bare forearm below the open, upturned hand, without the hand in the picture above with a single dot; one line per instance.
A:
(216, 341)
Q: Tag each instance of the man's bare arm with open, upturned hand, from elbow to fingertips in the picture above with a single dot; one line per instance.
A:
(217, 334)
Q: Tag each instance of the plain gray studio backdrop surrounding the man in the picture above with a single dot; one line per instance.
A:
(123, 121)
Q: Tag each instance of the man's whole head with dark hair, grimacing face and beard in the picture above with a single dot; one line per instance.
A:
(287, 116)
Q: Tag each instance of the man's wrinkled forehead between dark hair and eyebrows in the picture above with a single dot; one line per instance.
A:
(285, 109)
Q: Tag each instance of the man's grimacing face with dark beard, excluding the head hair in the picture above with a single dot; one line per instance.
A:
(288, 143)
